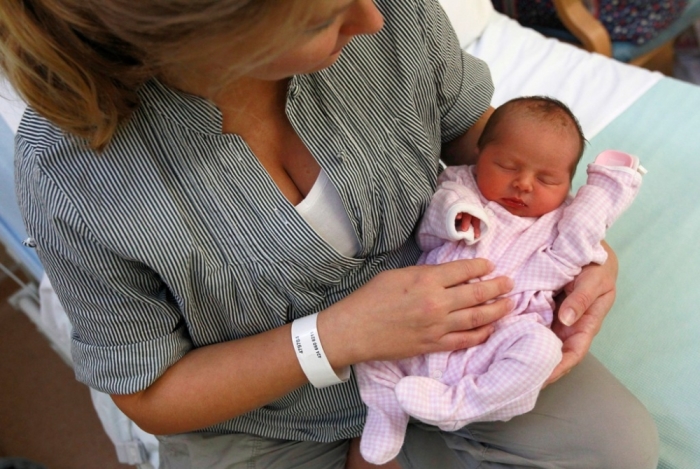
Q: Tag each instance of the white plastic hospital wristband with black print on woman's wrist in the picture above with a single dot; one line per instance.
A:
(311, 356)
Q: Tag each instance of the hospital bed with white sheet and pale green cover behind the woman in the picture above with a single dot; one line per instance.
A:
(650, 339)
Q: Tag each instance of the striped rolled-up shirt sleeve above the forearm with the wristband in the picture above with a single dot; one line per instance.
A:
(125, 331)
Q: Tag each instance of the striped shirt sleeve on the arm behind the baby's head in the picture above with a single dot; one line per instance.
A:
(463, 82)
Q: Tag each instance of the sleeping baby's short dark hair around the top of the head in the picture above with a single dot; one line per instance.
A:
(538, 107)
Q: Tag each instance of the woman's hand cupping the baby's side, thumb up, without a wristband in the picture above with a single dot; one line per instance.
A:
(589, 297)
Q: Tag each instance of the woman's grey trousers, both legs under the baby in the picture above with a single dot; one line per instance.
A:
(586, 420)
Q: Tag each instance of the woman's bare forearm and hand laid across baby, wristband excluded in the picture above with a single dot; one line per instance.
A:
(399, 313)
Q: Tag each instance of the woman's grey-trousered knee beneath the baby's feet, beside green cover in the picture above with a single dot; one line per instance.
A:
(586, 419)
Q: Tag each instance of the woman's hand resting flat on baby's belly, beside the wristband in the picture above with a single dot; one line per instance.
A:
(415, 310)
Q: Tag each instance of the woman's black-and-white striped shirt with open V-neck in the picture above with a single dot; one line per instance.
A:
(175, 237)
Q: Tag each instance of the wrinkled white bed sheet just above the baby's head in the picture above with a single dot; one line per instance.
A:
(523, 62)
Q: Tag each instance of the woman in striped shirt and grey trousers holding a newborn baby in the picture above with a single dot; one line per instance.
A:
(201, 178)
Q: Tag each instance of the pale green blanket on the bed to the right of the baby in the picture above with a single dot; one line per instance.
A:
(651, 339)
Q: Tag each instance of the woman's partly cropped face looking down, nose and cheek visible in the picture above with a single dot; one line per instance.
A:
(323, 39)
